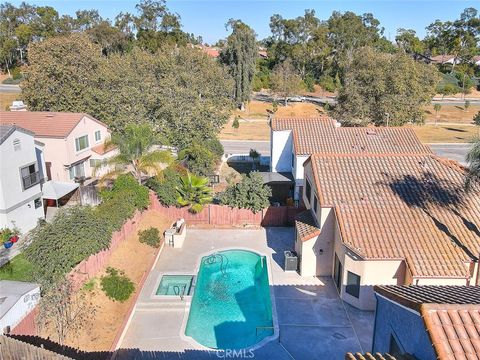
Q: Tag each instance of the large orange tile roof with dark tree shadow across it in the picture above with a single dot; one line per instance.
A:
(410, 208)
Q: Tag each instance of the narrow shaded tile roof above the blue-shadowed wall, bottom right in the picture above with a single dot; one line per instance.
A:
(413, 296)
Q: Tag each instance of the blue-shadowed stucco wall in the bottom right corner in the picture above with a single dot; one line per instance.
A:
(405, 325)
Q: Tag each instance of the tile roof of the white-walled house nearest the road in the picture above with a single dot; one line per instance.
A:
(321, 135)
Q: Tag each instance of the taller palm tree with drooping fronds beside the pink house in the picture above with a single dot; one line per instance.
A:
(135, 154)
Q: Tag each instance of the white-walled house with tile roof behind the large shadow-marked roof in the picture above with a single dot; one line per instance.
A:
(293, 140)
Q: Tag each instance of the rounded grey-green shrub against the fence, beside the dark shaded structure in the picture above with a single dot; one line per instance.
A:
(251, 193)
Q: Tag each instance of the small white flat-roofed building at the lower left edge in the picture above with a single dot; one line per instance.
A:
(17, 300)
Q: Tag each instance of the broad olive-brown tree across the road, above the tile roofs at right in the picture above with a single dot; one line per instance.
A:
(380, 88)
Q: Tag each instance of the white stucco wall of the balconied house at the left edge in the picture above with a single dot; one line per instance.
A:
(17, 206)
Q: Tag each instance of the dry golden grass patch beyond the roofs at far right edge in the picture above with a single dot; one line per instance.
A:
(446, 133)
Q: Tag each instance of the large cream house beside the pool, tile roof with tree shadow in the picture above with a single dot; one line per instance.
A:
(387, 219)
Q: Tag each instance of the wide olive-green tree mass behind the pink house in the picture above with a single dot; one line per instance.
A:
(181, 92)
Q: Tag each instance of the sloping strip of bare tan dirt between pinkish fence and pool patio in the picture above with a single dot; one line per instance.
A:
(134, 258)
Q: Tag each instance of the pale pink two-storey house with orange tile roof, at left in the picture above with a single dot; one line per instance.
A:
(73, 141)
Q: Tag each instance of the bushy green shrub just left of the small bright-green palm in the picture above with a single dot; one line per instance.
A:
(165, 188)
